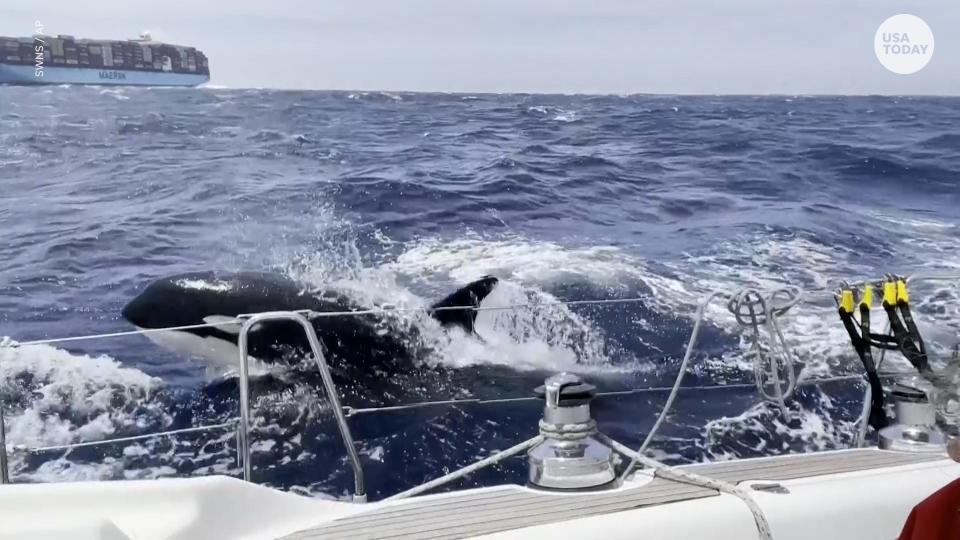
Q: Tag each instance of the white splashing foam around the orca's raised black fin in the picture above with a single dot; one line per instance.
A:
(551, 337)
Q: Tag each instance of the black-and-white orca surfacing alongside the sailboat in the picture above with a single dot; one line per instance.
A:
(365, 351)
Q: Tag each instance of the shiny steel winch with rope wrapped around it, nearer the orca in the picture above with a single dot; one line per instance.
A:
(569, 456)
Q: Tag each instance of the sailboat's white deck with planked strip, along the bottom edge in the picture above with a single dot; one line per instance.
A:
(847, 495)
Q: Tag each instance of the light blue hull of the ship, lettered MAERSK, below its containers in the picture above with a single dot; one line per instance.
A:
(28, 74)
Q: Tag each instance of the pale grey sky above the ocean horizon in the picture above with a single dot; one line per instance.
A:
(563, 46)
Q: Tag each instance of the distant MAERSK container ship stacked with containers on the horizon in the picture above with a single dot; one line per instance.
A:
(62, 59)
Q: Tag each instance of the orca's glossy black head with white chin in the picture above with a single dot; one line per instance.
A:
(208, 298)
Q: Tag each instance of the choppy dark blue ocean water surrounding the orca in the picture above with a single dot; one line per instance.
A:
(398, 199)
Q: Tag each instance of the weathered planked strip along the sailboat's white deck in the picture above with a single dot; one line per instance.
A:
(510, 508)
